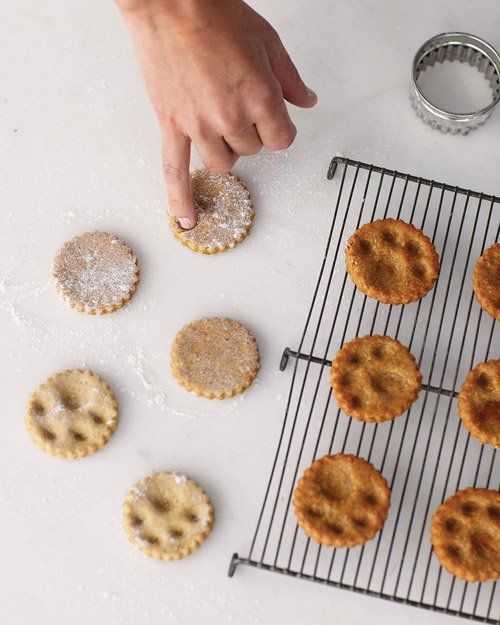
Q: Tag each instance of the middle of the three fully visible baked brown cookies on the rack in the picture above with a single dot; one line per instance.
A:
(375, 378)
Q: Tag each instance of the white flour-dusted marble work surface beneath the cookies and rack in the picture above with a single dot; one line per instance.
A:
(79, 149)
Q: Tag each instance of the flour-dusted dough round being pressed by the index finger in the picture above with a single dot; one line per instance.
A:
(224, 211)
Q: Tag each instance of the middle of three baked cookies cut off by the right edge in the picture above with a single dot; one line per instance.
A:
(479, 402)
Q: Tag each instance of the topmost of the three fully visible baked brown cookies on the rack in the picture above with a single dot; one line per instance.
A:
(392, 261)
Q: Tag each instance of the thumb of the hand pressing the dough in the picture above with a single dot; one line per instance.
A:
(293, 87)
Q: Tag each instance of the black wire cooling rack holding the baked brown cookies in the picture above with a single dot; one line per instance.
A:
(426, 454)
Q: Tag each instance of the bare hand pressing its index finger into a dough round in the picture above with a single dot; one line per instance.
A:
(218, 76)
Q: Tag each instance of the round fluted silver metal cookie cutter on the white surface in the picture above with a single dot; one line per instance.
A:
(465, 48)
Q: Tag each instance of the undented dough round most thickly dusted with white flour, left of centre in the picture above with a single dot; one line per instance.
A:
(96, 273)
